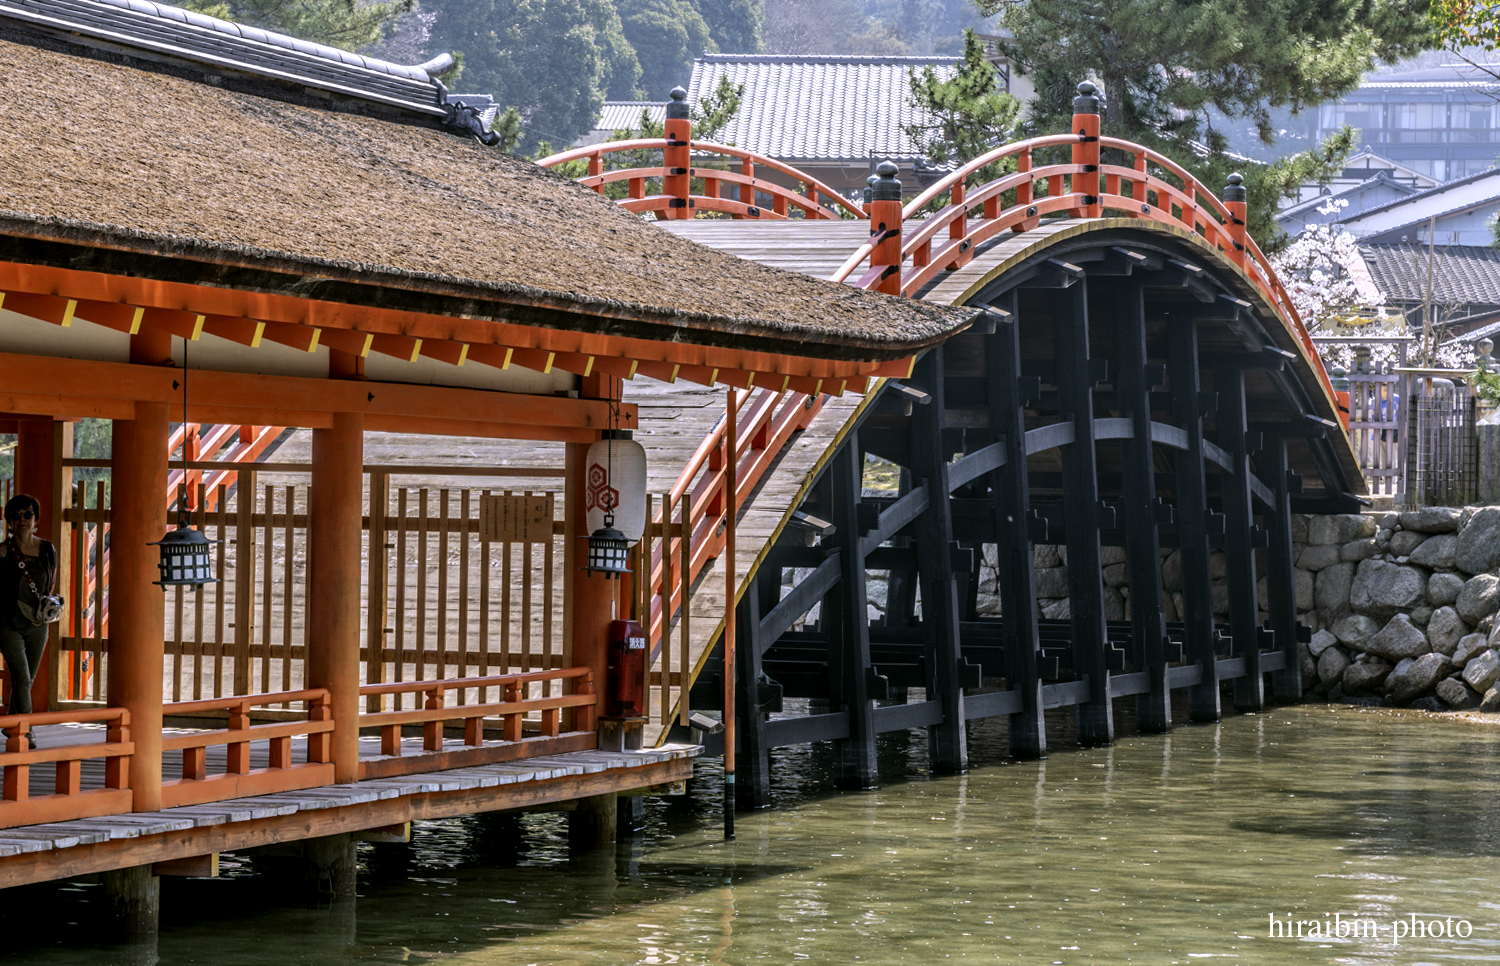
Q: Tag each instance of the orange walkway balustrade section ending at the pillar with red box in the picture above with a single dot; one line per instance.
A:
(511, 712)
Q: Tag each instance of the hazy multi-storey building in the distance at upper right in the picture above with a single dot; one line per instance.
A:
(1439, 122)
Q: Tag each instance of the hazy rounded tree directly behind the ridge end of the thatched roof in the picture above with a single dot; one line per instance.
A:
(548, 59)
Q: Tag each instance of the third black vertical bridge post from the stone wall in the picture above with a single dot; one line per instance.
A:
(1189, 404)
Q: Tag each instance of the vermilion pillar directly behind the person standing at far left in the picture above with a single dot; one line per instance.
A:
(41, 446)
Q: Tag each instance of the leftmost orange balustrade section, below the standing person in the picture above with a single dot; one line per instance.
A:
(70, 800)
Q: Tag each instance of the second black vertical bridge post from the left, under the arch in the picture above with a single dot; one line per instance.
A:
(850, 622)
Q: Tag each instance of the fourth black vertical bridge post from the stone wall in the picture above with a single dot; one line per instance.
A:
(1144, 544)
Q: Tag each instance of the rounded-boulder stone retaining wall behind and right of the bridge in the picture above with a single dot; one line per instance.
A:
(1402, 605)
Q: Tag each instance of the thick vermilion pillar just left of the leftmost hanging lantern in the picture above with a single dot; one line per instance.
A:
(137, 607)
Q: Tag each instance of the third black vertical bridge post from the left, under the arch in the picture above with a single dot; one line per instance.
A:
(949, 749)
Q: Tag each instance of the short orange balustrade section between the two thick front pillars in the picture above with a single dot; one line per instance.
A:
(239, 778)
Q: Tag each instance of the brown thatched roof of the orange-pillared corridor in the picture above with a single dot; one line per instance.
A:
(119, 160)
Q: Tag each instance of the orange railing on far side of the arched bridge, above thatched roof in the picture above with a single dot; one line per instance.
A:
(686, 205)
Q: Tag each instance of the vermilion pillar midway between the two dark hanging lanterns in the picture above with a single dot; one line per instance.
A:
(334, 581)
